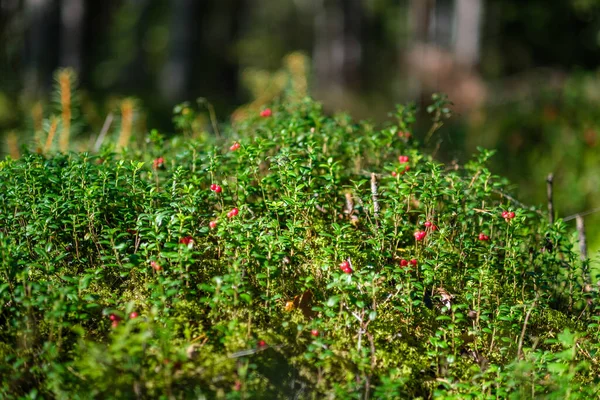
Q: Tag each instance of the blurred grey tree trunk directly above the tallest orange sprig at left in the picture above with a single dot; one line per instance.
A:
(71, 18)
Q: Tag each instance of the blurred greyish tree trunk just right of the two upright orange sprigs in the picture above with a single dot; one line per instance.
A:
(175, 75)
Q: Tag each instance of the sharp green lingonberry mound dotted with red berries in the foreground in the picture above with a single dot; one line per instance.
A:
(299, 256)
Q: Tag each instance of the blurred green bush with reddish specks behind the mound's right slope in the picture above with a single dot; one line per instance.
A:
(554, 130)
